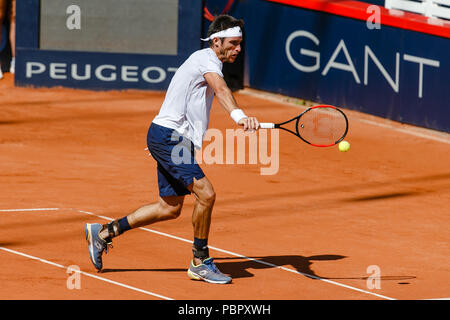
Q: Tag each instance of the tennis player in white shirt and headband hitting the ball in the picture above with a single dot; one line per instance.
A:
(180, 125)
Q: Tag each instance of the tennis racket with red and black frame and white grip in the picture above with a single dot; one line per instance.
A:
(319, 126)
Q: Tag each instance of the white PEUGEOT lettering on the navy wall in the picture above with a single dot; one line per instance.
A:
(106, 72)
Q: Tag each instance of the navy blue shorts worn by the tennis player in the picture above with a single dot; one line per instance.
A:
(175, 156)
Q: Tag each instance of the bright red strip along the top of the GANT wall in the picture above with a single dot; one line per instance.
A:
(359, 10)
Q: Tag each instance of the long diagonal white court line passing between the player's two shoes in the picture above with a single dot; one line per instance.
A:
(251, 259)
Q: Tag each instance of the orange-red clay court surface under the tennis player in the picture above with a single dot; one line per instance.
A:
(325, 213)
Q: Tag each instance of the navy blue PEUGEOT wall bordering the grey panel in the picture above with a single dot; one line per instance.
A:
(99, 70)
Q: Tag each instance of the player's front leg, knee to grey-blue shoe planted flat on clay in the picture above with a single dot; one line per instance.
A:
(202, 266)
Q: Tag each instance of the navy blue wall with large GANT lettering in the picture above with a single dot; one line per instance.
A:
(354, 81)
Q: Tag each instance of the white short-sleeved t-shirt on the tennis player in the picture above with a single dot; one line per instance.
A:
(188, 100)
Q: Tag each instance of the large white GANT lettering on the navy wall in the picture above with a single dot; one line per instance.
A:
(349, 65)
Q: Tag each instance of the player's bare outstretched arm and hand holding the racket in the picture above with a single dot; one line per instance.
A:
(227, 101)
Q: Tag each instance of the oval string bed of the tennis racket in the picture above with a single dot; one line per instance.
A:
(322, 126)
